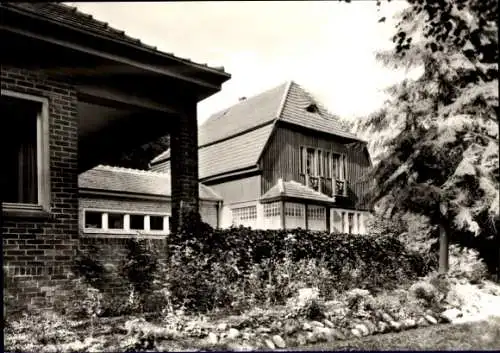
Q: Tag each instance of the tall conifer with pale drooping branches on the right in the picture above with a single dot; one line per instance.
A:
(441, 158)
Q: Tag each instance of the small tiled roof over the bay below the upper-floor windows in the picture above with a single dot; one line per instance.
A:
(294, 189)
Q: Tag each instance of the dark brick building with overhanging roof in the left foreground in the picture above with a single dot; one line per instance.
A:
(76, 93)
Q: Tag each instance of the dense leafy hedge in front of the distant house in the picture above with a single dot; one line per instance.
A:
(238, 267)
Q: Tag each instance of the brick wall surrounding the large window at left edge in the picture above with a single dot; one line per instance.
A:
(38, 251)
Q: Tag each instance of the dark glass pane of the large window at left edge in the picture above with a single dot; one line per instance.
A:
(19, 159)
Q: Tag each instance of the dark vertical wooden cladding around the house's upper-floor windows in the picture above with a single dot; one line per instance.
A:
(281, 159)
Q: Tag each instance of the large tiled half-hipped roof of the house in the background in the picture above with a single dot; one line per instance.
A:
(236, 137)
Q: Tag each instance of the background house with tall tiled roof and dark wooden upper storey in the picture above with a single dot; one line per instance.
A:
(281, 160)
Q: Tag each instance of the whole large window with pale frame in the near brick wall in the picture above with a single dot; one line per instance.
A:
(25, 160)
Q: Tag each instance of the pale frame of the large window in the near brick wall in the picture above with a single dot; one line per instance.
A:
(43, 157)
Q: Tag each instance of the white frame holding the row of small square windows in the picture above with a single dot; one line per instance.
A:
(126, 222)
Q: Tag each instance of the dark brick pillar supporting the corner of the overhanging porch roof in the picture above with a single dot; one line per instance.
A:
(184, 165)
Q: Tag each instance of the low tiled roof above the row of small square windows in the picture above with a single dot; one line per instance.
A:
(125, 180)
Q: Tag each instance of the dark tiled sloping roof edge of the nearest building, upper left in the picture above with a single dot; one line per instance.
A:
(71, 16)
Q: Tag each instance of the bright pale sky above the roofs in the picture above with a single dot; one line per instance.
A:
(328, 47)
